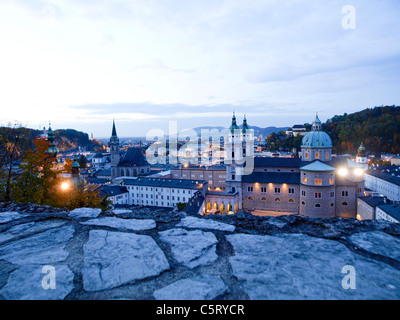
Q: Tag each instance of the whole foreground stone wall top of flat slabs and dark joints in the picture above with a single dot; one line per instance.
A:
(151, 253)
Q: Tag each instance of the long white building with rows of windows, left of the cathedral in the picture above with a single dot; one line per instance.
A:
(162, 192)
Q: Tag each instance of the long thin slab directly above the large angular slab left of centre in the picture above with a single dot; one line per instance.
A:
(123, 224)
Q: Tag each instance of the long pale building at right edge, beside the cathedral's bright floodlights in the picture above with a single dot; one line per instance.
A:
(385, 183)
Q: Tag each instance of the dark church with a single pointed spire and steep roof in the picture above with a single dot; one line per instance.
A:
(131, 164)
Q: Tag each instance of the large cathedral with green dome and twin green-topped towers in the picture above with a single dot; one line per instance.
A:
(315, 184)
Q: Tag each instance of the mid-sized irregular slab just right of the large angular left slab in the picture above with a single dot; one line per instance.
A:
(191, 248)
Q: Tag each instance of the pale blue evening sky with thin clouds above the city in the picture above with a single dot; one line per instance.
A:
(79, 64)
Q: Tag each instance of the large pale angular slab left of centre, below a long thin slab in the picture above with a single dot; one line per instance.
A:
(114, 258)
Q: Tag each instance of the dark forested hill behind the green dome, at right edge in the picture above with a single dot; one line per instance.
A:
(378, 128)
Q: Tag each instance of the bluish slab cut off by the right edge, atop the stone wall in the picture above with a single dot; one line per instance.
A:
(378, 242)
